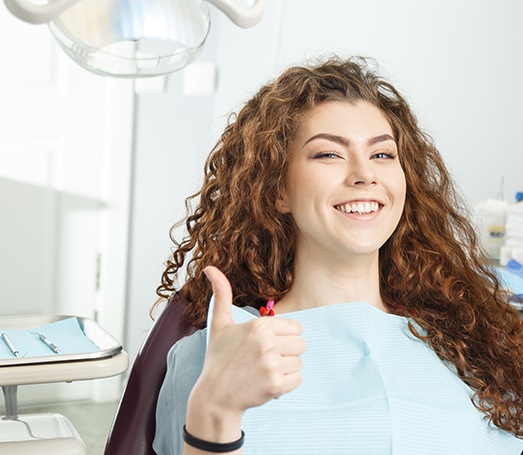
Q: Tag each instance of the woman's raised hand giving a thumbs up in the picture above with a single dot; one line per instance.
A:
(247, 364)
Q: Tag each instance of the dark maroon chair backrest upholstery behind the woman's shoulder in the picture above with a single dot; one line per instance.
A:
(134, 425)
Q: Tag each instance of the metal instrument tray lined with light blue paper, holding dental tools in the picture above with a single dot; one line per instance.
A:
(40, 339)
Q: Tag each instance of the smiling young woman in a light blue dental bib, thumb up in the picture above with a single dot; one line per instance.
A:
(325, 205)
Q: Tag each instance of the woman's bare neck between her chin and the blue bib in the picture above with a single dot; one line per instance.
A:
(319, 284)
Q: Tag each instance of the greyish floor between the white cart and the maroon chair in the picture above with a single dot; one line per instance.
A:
(91, 420)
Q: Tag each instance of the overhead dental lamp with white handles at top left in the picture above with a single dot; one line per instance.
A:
(132, 38)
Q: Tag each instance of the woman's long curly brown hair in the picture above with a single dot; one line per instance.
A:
(432, 268)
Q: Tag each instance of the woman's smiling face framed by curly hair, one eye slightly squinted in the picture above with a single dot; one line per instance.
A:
(345, 187)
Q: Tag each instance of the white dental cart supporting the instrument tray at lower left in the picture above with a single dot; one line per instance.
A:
(51, 434)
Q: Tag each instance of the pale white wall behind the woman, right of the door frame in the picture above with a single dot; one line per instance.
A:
(459, 62)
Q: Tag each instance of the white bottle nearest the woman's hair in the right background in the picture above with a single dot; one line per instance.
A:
(491, 216)
